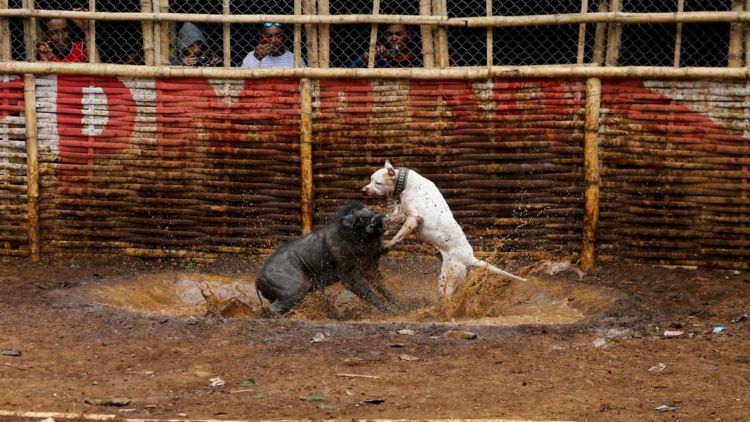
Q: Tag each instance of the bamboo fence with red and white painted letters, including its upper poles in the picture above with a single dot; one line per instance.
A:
(596, 161)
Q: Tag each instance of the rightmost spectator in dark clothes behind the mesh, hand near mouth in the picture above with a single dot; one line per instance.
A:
(396, 52)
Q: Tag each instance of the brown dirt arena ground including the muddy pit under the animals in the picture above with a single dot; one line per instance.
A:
(100, 336)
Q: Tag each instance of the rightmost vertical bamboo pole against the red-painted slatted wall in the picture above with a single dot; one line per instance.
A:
(592, 178)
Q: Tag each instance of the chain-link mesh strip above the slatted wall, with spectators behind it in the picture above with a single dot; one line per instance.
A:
(129, 41)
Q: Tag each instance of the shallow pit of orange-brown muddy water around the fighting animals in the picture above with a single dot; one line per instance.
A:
(484, 299)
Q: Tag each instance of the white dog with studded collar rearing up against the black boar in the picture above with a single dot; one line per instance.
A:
(428, 215)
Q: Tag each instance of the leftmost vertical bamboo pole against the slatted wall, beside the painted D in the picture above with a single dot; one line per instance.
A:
(32, 163)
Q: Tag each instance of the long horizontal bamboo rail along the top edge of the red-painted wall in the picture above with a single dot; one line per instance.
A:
(463, 73)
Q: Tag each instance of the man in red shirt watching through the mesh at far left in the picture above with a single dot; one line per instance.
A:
(59, 45)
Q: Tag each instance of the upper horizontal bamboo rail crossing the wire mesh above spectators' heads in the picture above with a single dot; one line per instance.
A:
(471, 22)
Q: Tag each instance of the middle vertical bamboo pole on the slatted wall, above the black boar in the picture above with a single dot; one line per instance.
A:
(306, 200)
